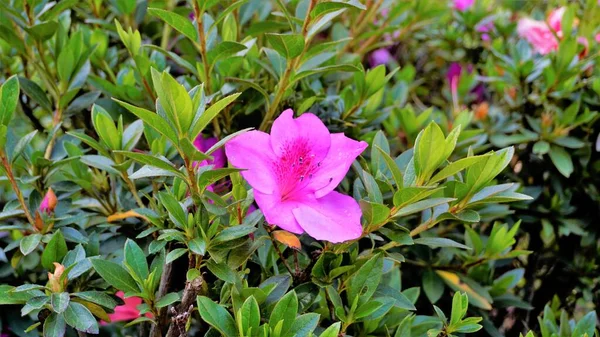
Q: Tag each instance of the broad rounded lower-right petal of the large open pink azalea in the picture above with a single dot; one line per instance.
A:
(334, 218)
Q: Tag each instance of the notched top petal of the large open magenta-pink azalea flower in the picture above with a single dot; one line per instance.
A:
(287, 132)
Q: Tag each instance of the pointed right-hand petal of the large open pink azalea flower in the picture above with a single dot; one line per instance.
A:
(334, 167)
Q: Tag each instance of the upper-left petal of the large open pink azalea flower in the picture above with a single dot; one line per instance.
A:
(252, 151)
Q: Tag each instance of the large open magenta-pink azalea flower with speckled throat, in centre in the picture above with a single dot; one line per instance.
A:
(294, 171)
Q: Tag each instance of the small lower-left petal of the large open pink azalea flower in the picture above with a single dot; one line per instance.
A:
(278, 212)
